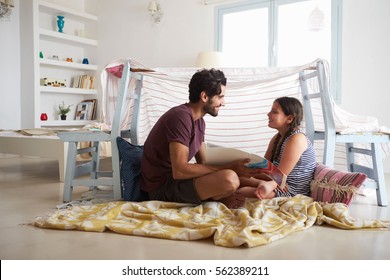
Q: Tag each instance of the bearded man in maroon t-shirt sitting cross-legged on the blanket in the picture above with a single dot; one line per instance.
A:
(177, 137)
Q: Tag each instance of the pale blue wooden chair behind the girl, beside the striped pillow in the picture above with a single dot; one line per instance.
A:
(373, 141)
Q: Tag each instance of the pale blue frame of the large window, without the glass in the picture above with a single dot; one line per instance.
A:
(336, 28)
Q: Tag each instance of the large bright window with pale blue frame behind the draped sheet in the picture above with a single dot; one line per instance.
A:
(280, 33)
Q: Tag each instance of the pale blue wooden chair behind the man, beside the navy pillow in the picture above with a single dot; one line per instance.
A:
(97, 177)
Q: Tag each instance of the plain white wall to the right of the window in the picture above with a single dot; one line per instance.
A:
(366, 58)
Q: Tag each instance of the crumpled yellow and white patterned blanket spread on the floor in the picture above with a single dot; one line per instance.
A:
(258, 223)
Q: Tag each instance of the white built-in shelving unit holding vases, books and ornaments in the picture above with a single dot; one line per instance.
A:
(76, 42)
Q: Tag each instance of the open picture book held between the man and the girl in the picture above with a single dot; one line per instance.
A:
(223, 155)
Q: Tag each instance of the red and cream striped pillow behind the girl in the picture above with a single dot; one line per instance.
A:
(331, 185)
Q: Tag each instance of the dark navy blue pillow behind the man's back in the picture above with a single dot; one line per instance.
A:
(130, 170)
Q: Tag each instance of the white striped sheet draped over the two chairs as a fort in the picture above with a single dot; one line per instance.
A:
(243, 122)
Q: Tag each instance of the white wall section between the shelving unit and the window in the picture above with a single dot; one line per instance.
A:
(126, 30)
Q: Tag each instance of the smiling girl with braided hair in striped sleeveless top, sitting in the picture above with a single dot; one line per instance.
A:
(290, 150)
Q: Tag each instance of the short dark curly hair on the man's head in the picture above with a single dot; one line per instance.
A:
(209, 81)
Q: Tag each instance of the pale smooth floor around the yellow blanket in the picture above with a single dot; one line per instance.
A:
(29, 187)
